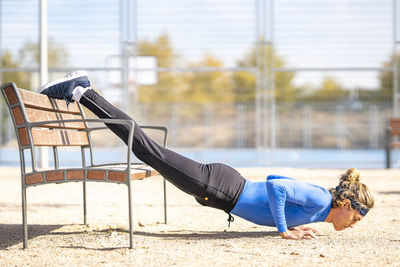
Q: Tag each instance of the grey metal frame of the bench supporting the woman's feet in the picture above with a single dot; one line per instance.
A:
(39, 177)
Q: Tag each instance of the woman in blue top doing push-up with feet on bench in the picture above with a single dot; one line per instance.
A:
(280, 201)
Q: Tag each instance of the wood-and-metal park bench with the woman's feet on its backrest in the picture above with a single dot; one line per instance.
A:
(42, 121)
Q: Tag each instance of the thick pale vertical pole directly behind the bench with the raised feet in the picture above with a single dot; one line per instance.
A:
(44, 70)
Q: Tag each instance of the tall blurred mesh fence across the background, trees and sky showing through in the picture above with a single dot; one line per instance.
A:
(222, 74)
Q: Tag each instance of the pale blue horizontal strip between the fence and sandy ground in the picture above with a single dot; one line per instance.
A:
(305, 158)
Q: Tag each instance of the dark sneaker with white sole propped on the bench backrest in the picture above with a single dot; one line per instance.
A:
(62, 88)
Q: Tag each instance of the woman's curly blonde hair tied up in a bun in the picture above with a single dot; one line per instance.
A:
(351, 187)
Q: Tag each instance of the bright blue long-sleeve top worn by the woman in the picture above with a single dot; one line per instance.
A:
(283, 202)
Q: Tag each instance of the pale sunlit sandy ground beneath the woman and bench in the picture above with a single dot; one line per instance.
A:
(194, 235)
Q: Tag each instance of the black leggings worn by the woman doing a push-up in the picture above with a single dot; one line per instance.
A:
(215, 185)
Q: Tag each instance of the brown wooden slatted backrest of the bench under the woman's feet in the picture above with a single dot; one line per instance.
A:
(27, 107)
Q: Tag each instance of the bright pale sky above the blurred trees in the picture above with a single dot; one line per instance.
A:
(307, 33)
